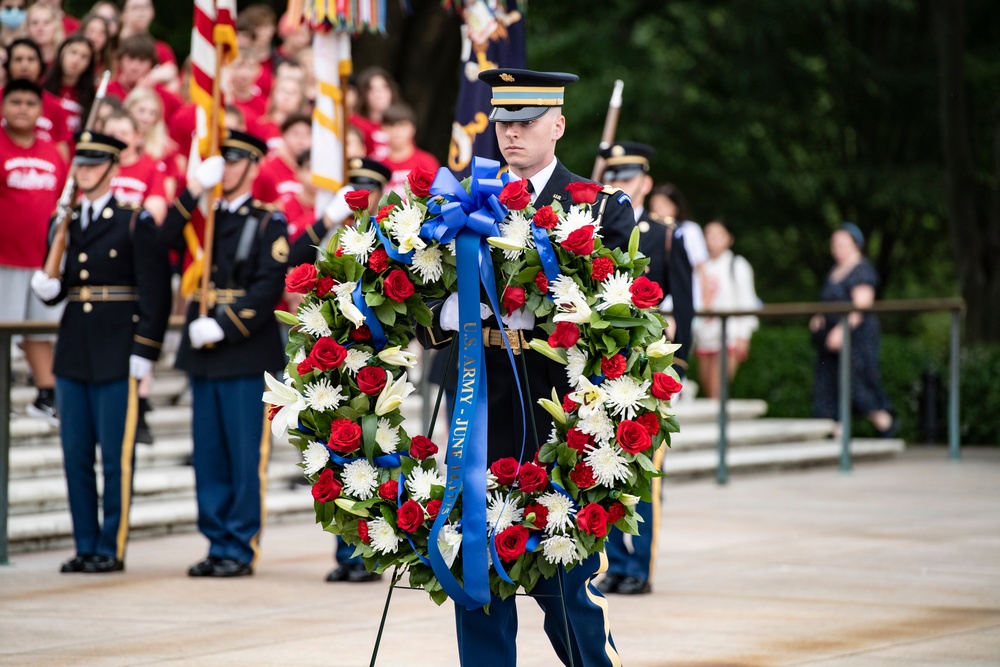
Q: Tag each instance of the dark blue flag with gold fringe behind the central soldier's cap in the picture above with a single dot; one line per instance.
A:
(492, 36)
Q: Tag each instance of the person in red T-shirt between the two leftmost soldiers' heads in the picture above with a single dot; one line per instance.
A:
(141, 178)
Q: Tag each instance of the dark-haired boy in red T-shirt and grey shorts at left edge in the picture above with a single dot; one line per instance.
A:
(32, 173)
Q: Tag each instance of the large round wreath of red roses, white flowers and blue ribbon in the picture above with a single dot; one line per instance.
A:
(379, 487)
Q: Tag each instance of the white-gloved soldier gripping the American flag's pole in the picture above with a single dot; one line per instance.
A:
(227, 351)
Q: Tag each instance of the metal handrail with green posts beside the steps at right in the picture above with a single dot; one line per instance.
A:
(956, 306)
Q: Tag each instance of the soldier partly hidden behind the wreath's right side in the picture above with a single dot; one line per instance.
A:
(631, 558)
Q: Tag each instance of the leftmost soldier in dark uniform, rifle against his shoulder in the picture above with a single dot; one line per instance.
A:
(117, 285)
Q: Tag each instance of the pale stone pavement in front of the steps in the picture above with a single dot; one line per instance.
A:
(897, 563)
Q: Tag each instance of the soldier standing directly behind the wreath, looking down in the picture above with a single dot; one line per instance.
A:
(529, 121)
